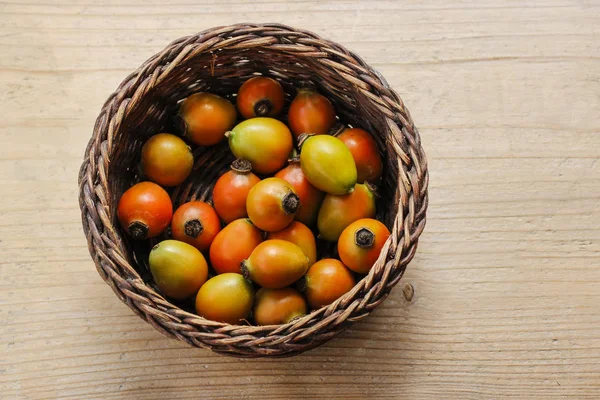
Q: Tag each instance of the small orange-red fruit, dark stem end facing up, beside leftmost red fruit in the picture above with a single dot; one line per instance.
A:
(196, 223)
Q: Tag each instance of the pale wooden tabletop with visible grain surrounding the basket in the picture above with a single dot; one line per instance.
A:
(507, 276)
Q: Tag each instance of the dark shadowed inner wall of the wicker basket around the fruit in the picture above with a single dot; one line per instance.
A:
(223, 72)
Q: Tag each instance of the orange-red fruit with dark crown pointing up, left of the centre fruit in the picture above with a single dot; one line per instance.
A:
(231, 191)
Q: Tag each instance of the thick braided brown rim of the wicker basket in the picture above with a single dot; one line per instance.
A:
(402, 144)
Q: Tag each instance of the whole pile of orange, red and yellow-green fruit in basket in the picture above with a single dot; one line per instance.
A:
(287, 183)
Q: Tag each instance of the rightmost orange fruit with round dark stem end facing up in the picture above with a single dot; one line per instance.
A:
(360, 244)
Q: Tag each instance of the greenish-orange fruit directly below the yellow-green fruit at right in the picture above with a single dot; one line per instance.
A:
(337, 212)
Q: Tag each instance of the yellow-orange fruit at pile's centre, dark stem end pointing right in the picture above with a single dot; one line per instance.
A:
(272, 204)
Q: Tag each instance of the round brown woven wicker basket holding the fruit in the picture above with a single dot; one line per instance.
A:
(219, 60)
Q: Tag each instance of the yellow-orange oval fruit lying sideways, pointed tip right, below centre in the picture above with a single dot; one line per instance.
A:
(275, 264)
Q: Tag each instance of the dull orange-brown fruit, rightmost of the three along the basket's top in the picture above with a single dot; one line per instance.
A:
(310, 112)
